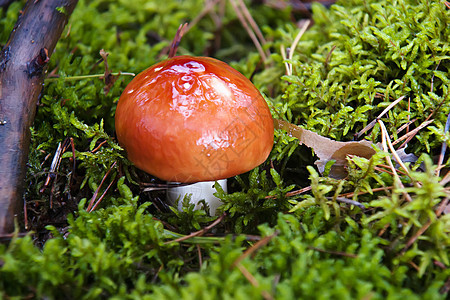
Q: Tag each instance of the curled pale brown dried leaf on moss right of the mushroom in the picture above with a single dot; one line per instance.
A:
(327, 149)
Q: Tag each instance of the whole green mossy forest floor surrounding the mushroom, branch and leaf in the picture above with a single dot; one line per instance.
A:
(284, 230)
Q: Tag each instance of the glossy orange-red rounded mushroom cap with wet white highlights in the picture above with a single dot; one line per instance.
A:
(190, 119)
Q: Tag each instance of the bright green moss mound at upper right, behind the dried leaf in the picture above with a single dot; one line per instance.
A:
(374, 53)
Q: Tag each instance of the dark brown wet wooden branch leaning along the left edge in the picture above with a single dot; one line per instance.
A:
(22, 64)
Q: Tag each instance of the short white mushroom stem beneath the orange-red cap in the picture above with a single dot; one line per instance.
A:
(200, 190)
